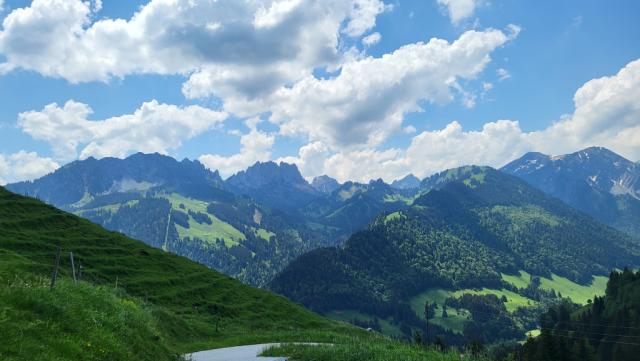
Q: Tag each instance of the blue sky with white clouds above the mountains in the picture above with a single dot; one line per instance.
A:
(526, 74)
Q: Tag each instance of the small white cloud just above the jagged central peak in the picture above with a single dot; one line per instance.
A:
(255, 146)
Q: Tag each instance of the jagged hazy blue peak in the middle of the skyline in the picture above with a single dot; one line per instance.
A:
(279, 186)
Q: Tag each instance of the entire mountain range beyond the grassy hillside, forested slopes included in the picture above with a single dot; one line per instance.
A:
(471, 238)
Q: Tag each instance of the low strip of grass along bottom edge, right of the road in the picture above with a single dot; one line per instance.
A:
(372, 348)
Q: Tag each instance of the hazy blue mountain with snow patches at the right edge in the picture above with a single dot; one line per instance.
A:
(595, 180)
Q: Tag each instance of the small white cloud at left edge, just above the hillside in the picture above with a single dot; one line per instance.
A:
(24, 165)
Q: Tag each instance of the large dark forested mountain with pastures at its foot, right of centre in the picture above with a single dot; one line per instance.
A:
(471, 233)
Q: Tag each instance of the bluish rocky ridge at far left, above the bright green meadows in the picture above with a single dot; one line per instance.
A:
(78, 183)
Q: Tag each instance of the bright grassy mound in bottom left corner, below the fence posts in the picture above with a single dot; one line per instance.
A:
(76, 322)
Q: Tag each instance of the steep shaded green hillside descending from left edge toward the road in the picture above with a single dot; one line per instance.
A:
(191, 306)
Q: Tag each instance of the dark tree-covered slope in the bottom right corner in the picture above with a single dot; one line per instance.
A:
(607, 329)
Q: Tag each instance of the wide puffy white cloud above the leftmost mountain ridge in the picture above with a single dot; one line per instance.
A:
(154, 127)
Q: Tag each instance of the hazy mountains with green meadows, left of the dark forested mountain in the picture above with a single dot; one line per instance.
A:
(249, 226)
